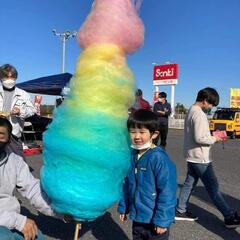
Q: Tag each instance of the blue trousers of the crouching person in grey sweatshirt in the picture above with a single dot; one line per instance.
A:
(6, 234)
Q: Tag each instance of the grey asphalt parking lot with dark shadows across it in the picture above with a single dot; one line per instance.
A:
(209, 225)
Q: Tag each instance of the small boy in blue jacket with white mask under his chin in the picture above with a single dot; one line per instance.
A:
(149, 190)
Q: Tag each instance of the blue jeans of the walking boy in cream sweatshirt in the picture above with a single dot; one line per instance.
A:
(206, 173)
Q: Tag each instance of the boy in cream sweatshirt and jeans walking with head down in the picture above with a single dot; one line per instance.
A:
(197, 144)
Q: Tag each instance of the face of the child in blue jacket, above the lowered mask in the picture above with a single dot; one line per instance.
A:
(141, 136)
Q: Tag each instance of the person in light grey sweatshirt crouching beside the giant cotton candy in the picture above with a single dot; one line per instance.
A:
(14, 173)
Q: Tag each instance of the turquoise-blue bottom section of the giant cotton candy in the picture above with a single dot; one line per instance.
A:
(85, 160)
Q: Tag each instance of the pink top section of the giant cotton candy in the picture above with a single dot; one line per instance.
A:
(112, 21)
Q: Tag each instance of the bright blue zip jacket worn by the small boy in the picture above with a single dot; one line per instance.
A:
(149, 190)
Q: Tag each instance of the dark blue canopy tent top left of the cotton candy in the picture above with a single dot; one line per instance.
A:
(49, 85)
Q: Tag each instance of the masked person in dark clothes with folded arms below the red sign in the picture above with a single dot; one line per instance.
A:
(163, 110)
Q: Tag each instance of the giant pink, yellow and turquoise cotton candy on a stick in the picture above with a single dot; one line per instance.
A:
(86, 148)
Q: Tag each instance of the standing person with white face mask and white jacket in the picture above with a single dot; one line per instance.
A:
(15, 103)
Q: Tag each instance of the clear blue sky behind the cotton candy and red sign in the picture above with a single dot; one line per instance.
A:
(203, 37)
